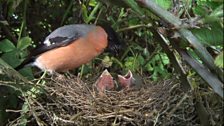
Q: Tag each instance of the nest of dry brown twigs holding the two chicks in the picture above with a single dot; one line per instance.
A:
(70, 101)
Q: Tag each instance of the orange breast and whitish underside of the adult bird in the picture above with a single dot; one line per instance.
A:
(75, 54)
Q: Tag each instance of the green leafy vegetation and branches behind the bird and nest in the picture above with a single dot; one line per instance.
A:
(163, 39)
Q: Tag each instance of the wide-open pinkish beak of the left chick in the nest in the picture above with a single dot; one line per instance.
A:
(105, 81)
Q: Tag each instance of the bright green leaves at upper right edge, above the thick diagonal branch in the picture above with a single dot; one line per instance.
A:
(211, 34)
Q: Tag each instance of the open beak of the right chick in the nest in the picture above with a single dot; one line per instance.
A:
(127, 80)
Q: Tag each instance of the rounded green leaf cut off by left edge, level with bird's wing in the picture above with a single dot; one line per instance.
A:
(6, 46)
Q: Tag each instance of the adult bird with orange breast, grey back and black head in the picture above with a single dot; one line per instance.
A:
(70, 46)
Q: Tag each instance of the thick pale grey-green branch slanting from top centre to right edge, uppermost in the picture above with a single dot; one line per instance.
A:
(186, 34)
